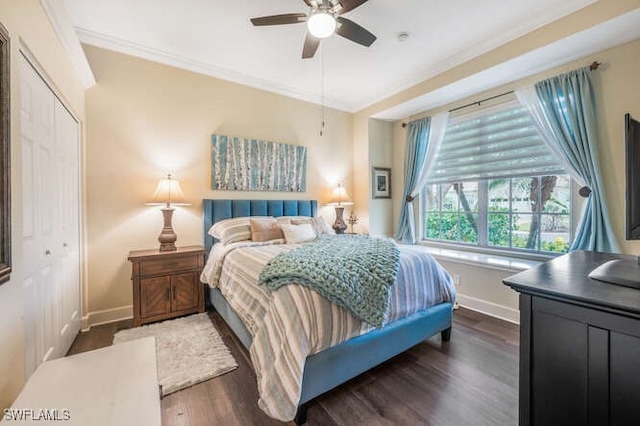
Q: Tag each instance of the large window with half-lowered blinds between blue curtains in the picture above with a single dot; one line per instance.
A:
(495, 185)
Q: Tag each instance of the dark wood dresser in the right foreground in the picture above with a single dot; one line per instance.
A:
(579, 344)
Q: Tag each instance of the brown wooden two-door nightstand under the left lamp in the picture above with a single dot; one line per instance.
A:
(166, 284)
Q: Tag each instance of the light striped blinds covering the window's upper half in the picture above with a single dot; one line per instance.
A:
(496, 142)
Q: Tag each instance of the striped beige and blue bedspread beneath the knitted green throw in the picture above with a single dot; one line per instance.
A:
(293, 322)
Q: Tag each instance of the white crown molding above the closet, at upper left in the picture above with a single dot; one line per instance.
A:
(66, 34)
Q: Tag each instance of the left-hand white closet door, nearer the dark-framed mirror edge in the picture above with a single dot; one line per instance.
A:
(37, 138)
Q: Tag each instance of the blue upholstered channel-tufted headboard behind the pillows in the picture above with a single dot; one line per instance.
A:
(216, 210)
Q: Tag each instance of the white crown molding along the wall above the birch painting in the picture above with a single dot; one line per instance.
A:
(104, 41)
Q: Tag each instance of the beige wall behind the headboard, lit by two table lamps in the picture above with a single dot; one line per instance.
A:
(145, 119)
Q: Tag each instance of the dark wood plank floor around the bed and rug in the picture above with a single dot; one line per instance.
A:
(472, 380)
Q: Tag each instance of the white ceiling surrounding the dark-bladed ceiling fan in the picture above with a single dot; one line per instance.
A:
(215, 37)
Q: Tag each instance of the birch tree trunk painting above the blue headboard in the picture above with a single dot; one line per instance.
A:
(239, 164)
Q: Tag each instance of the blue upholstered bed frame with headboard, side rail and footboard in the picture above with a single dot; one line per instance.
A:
(324, 370)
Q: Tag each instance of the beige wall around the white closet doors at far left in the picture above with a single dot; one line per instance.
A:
(28, 27)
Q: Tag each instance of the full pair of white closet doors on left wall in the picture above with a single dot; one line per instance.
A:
(49, 152)
